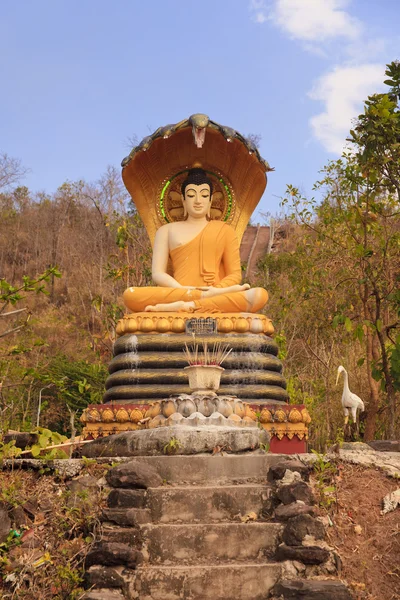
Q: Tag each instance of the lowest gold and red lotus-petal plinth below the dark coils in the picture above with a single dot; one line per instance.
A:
(286, 424)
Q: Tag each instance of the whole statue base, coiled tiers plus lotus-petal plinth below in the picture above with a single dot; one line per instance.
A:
(148, 387)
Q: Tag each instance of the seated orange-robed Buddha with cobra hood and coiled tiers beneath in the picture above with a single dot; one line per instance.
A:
(195, 185)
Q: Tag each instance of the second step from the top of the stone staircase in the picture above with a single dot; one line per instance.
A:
(195, 503)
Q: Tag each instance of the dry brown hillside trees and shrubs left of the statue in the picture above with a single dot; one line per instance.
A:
(58, 331)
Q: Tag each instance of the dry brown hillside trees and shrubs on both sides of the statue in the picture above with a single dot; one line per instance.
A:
(65, 259)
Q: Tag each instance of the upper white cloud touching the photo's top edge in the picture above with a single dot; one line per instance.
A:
(308, 20)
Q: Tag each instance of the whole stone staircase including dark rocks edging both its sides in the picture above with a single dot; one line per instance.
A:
(206, 527)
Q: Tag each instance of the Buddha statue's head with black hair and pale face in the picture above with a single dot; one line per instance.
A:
(197, 194)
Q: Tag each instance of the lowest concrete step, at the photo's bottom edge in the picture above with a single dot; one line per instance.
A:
(208, 582)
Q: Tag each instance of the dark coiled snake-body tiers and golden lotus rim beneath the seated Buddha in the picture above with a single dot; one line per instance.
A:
(149, 363)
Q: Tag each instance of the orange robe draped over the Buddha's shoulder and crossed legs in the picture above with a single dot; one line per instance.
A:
(211, 258)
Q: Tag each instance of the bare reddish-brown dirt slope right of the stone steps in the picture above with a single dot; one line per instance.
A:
(367, 542)
